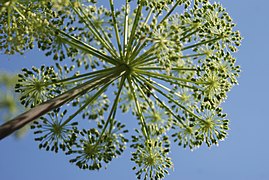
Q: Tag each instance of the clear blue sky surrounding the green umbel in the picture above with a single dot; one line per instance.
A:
(242, 156)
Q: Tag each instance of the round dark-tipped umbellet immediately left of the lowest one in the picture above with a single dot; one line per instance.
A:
(94, 148)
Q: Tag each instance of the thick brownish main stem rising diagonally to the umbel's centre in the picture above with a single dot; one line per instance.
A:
(45, 107)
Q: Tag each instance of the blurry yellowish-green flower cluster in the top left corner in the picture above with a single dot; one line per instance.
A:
(18, 33)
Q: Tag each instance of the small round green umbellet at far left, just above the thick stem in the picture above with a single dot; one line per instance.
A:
(36, 85)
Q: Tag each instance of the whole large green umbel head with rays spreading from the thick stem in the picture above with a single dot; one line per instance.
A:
(169, 62)
